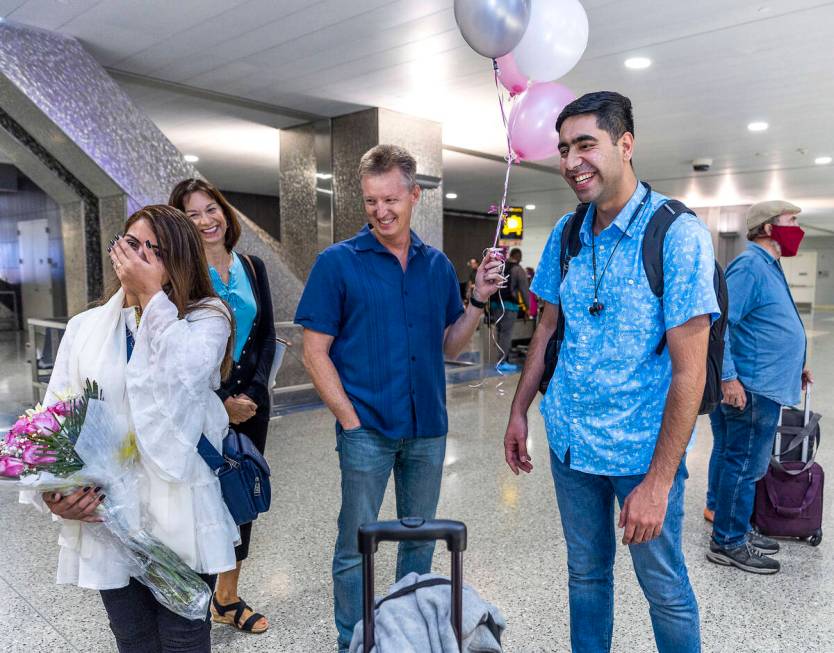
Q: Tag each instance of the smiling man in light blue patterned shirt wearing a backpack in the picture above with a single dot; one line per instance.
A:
(619, 416)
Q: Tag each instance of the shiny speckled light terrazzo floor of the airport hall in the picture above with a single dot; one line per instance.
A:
(516, 555)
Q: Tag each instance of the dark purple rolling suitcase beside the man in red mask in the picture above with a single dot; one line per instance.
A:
(789, 497)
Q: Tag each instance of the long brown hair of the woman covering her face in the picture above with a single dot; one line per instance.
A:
(181, 252)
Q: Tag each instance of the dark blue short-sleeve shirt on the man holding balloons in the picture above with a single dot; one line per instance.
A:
(388, 328)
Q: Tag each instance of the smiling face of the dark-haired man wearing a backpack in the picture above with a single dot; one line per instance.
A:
(594, 167)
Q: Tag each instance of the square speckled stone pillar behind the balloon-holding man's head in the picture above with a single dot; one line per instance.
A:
(355, 134)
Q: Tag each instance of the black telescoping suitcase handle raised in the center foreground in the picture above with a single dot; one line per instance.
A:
(408, 529)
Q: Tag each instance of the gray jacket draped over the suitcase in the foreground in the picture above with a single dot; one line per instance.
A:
(419, 622)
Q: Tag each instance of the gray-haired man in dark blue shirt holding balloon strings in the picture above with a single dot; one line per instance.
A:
(380, 312)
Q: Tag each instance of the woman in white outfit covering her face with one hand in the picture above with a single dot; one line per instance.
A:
(167, 313)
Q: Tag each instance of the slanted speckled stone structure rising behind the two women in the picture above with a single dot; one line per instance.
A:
(69, 107)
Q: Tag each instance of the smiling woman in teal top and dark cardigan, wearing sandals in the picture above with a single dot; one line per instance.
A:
(241, 282)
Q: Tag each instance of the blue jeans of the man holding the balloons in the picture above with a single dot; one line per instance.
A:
(366, 459)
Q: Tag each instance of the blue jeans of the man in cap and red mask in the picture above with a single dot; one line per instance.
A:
(747, 436)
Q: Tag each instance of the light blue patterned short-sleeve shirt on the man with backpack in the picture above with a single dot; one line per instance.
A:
(606, 399)
